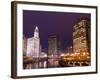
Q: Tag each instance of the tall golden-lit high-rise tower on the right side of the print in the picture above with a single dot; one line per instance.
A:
(81, 36)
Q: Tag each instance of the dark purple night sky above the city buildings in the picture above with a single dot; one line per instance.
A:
(51, 23)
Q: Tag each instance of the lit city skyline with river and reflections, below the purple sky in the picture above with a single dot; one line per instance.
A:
(79, 55)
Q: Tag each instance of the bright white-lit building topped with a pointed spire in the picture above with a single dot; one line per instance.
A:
(33, 44)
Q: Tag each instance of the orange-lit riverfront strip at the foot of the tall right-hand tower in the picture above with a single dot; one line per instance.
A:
(72, 61)
